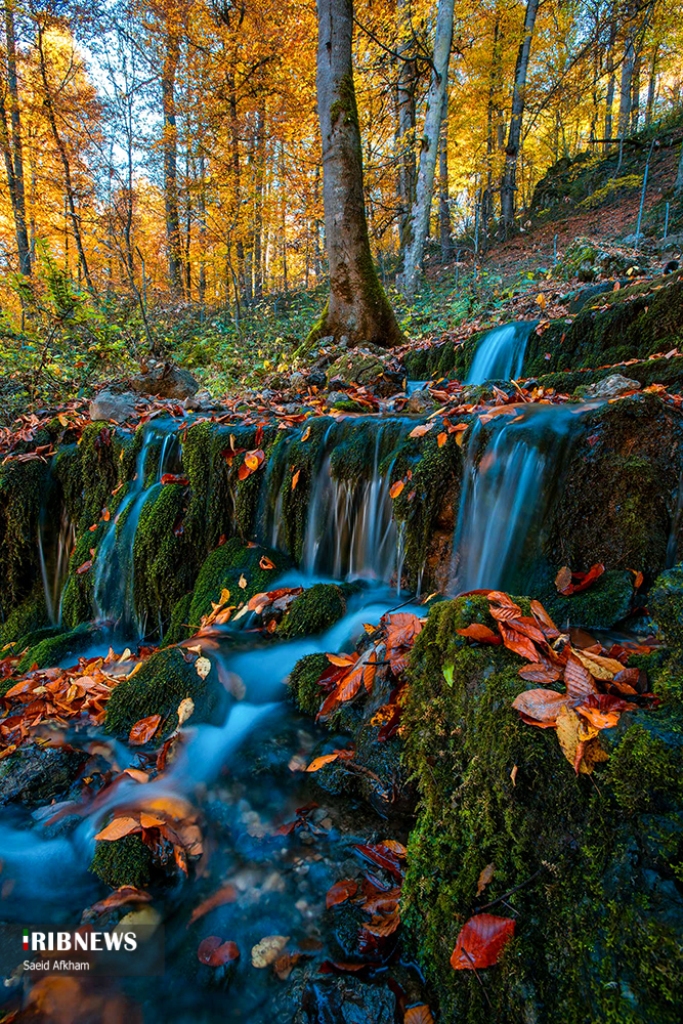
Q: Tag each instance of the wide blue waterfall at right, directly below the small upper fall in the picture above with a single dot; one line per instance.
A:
(510, 477)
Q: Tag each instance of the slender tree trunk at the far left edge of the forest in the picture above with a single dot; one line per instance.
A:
(14, 149)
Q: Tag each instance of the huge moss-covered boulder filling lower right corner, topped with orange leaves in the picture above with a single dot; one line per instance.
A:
(591, 868)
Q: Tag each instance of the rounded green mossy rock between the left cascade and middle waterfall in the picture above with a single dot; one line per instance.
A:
(227, 567)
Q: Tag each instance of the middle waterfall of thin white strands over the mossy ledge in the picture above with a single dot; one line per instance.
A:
(351, 532)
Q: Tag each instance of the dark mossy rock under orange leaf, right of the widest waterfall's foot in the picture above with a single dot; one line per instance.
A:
(604, 605)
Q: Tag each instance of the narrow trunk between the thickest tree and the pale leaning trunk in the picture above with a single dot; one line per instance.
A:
(407, 88)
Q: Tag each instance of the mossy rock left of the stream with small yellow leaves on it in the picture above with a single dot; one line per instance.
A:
(158, 689)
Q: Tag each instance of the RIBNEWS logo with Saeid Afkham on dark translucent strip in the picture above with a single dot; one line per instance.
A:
(136, 951)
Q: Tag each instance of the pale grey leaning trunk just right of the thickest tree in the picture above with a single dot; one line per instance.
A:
(430, 151)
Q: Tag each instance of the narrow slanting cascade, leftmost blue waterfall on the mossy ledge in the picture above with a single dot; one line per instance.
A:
(114, 580)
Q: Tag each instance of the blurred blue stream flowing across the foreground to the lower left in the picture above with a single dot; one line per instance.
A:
(245, 779)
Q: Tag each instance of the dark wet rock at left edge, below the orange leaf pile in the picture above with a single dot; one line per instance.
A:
(36, 776)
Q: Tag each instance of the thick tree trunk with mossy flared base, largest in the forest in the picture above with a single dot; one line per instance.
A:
(358, 306)
